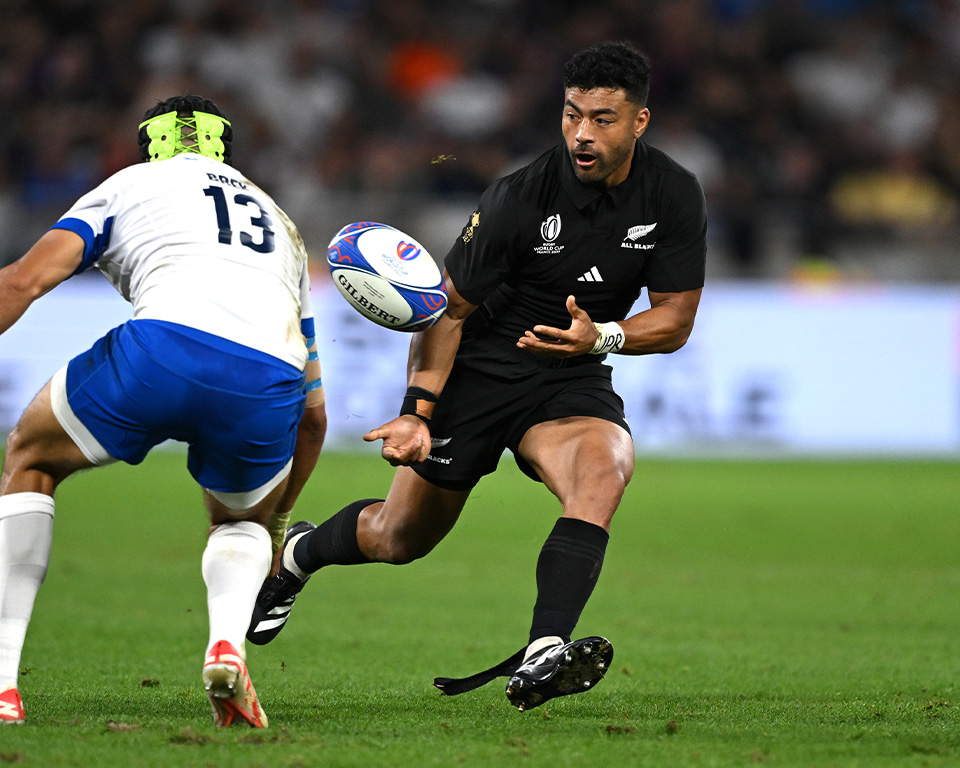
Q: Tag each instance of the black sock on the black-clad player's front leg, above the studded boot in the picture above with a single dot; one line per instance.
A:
(567, 571)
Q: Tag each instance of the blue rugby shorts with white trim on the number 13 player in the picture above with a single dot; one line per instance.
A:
(148, 381)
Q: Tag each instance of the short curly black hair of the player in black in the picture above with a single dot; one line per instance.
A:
(610, 65)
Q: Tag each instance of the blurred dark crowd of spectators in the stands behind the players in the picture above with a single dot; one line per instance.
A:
(825, 132)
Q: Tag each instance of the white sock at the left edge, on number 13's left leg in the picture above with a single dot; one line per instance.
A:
(26, 535)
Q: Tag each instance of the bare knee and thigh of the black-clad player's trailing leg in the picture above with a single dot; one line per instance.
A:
(413, 519)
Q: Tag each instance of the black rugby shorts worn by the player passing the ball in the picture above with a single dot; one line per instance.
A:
(479, 415)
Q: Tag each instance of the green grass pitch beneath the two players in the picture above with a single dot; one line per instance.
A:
(773, 613)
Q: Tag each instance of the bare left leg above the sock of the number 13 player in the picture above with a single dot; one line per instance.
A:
(39, 452)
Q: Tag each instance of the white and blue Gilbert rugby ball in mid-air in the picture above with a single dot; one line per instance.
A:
(387, 276)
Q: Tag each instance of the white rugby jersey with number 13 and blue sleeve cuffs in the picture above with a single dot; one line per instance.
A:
(190, 240)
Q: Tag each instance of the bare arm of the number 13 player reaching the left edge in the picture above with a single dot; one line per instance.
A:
(53, 258)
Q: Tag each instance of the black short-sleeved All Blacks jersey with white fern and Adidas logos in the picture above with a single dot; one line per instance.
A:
(540, 235)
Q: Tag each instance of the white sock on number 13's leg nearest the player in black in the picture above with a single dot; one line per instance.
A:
(235, 563)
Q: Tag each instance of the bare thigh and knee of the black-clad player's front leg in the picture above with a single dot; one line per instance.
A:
(586, 463)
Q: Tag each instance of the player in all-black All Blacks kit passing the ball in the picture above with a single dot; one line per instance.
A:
(540, 284)
